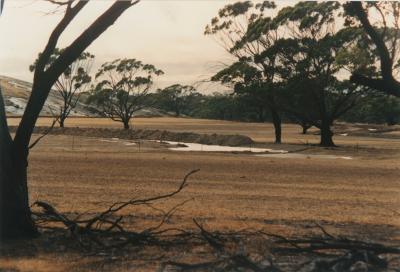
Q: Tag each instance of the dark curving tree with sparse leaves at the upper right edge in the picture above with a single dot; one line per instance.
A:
(381, 22)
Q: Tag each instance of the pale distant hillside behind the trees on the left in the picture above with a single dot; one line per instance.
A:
(16, 94)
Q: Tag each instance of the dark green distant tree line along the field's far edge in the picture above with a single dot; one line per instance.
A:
(375, 108)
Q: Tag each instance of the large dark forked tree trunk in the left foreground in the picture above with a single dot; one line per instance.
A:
(15, 214)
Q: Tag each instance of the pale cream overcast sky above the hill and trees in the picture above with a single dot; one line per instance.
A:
(166, 33)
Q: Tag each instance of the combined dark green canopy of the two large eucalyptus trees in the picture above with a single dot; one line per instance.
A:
(294, 61)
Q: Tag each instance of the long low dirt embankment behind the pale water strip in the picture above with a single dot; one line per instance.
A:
(159, 135)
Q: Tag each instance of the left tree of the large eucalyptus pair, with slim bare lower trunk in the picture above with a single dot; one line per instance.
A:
(244, 30)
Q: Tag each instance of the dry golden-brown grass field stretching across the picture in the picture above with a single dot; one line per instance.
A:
(358, 197)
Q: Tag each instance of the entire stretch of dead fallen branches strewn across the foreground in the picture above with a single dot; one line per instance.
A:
(327, 252)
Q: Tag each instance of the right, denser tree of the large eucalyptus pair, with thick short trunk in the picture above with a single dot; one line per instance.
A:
(308, 60)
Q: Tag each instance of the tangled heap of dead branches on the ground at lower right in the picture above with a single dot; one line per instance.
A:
(326, 253)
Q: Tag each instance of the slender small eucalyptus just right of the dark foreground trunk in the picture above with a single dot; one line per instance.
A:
(71, 83)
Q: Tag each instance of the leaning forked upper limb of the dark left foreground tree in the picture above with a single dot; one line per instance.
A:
(44, 81)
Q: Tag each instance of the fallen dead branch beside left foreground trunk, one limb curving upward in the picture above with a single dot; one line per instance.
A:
(106, 230)
